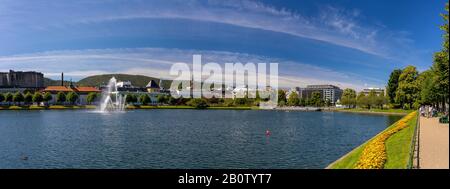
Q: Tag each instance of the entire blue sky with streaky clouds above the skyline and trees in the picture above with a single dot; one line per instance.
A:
(349, 43)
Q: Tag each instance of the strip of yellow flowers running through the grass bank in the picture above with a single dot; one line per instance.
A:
(374, 154)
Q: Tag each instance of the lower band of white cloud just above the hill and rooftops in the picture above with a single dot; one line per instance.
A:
(156, 62)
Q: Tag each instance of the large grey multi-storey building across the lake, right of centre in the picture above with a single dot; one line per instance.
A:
(327, 92)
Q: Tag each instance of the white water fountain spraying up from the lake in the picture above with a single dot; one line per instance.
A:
(112, 100)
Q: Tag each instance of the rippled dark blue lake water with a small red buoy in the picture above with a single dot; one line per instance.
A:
(181, 138)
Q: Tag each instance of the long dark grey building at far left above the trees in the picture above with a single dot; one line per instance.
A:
(13, 79)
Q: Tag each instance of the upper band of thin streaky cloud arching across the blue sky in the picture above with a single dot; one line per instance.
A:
(333, 25)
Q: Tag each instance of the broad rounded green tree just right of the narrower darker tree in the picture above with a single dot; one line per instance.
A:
(407, 91)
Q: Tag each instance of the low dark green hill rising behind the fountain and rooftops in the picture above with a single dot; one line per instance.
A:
(136, 80)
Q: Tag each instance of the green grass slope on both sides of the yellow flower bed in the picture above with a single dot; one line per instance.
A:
(397, 148)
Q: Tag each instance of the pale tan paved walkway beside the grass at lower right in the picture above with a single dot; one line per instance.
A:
(434, 144)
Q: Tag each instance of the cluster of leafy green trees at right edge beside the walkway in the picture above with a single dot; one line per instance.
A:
(408, 88)
